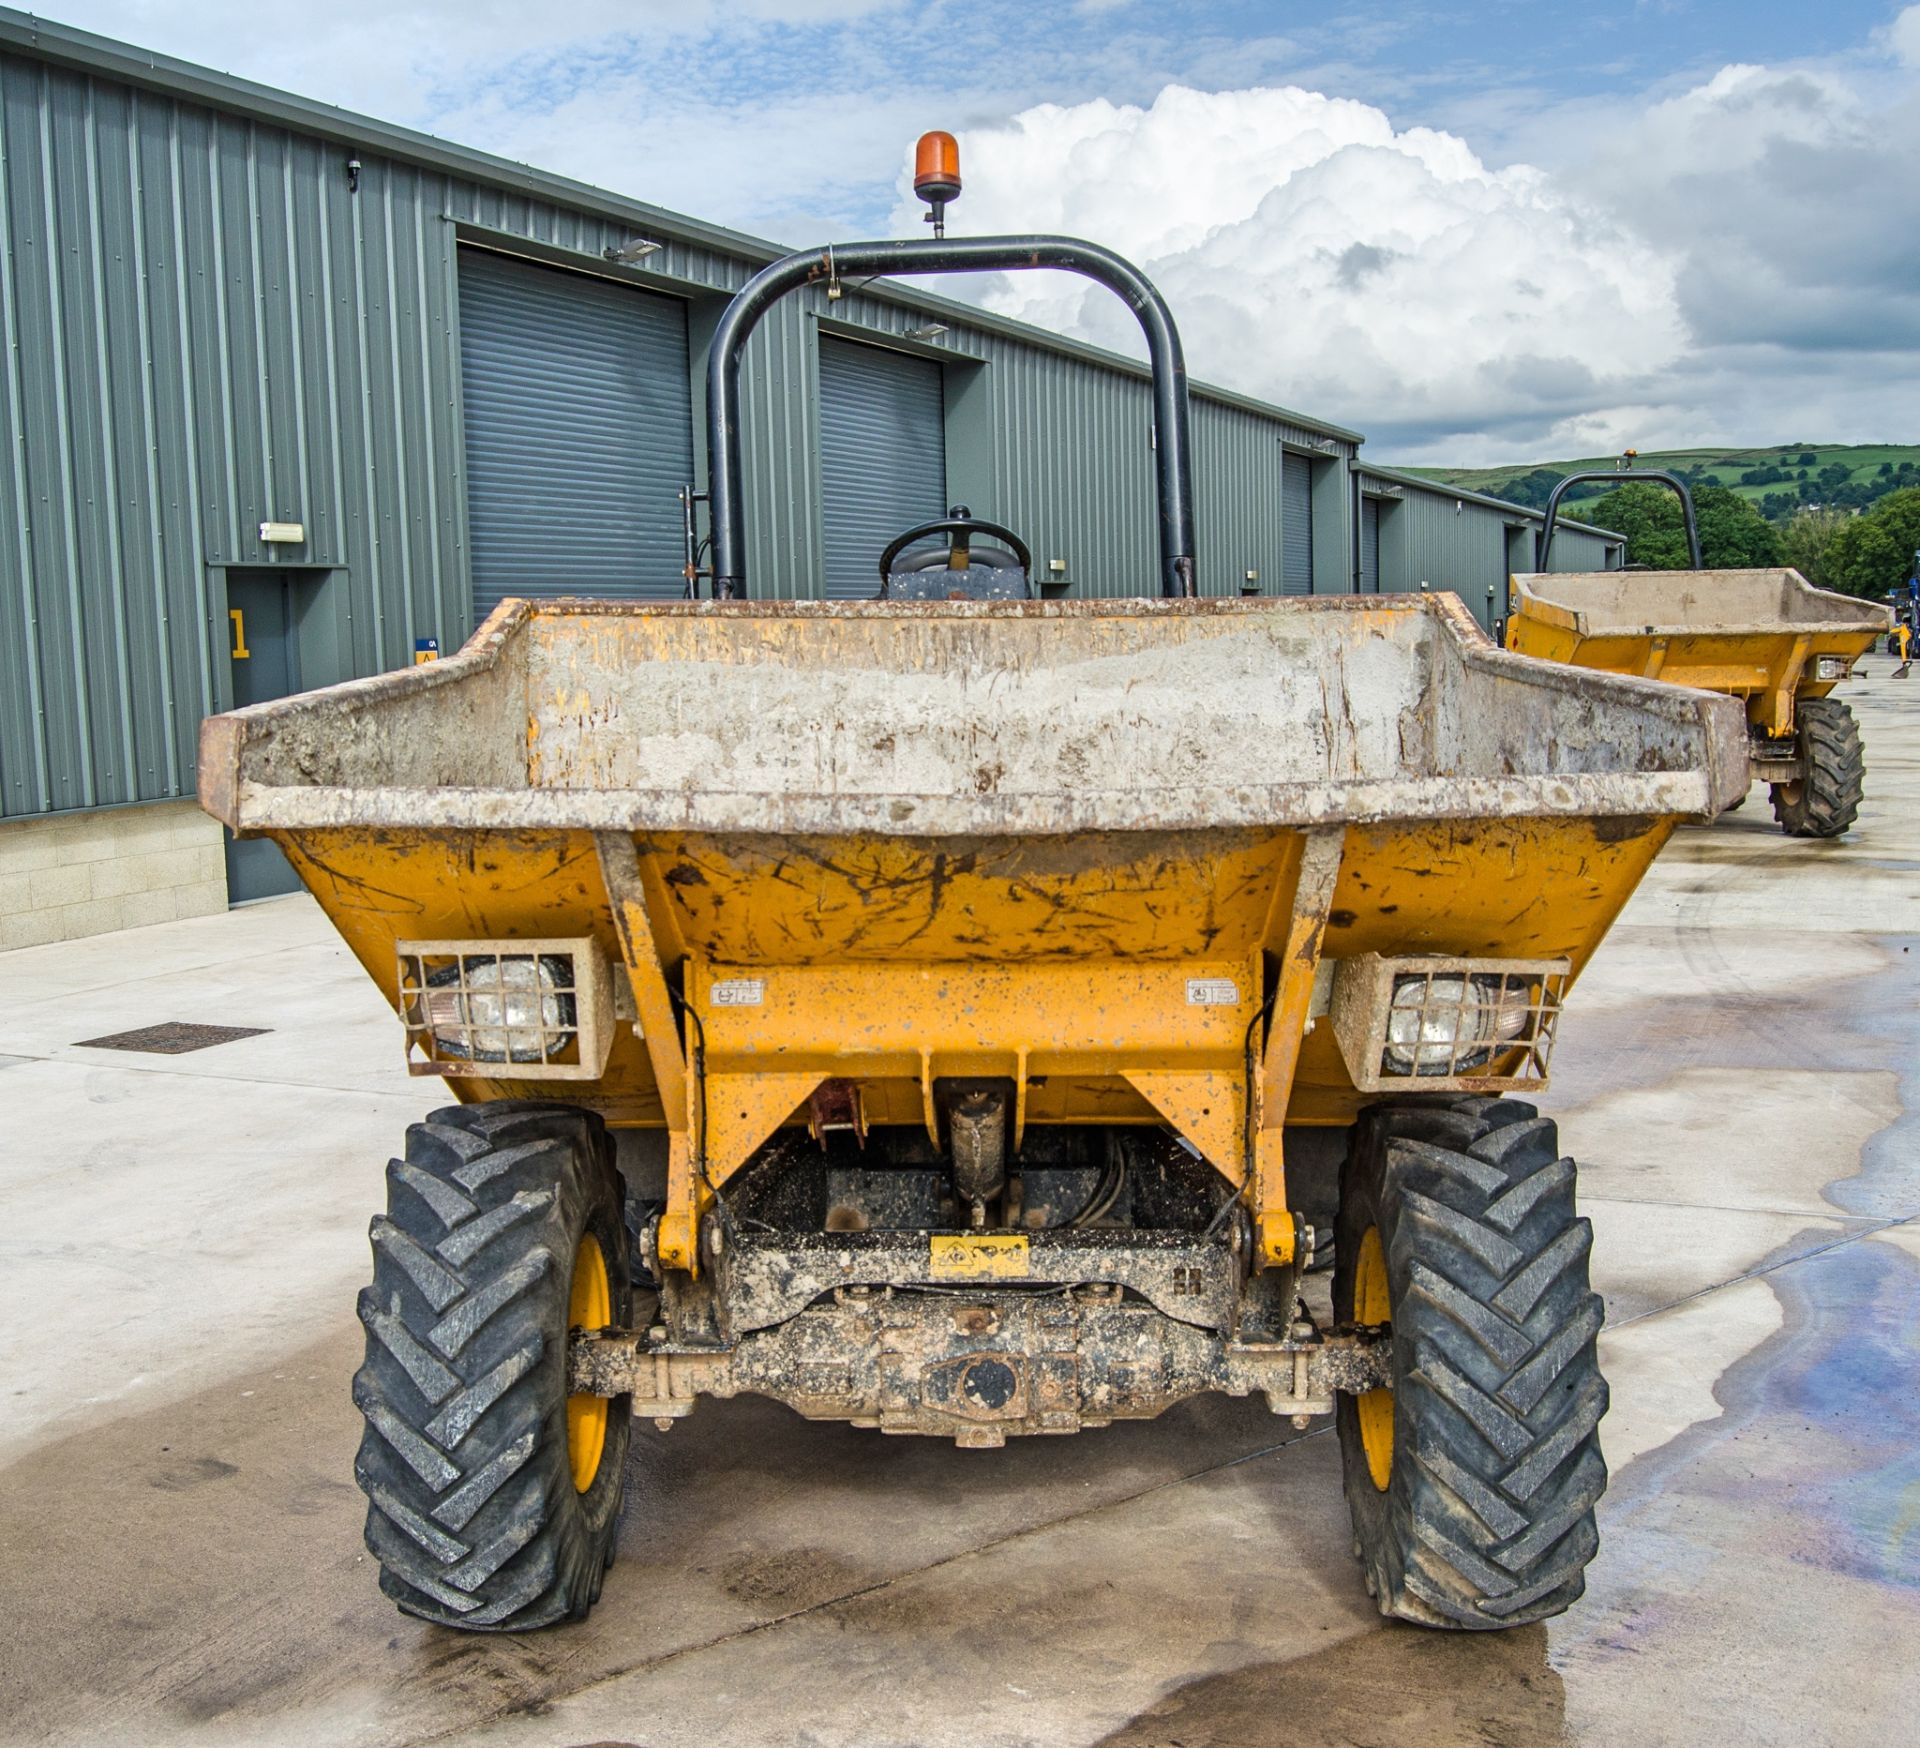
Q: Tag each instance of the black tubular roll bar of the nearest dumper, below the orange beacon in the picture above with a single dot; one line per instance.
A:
(971, 255)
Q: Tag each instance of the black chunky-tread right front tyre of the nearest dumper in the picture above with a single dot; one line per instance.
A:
(1489, 1513)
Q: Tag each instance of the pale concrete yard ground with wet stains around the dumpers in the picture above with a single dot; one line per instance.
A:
(180, 1528)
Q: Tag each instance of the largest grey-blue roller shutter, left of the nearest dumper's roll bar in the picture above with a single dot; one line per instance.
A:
(579, 433)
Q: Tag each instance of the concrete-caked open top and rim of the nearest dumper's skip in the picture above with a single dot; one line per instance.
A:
(965, 717)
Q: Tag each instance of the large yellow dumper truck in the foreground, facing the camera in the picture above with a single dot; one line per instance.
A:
(911, 1011)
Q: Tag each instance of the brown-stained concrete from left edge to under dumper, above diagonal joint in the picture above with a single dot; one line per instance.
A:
(214, 1584)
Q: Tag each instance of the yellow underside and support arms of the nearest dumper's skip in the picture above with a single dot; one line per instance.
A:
(886, 967)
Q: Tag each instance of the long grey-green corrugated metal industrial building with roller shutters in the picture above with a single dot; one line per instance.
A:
(299, 397)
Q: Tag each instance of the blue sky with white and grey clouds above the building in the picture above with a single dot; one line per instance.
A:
(1479, 233)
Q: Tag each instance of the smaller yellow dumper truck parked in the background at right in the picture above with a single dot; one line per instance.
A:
(1765, 637)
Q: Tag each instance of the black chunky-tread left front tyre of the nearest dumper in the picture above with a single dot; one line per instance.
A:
(471, 1505)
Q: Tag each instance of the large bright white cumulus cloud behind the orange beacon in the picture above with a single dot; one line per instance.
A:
(1322, 258)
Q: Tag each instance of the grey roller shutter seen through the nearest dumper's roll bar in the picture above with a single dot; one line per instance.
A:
(882, 456)
